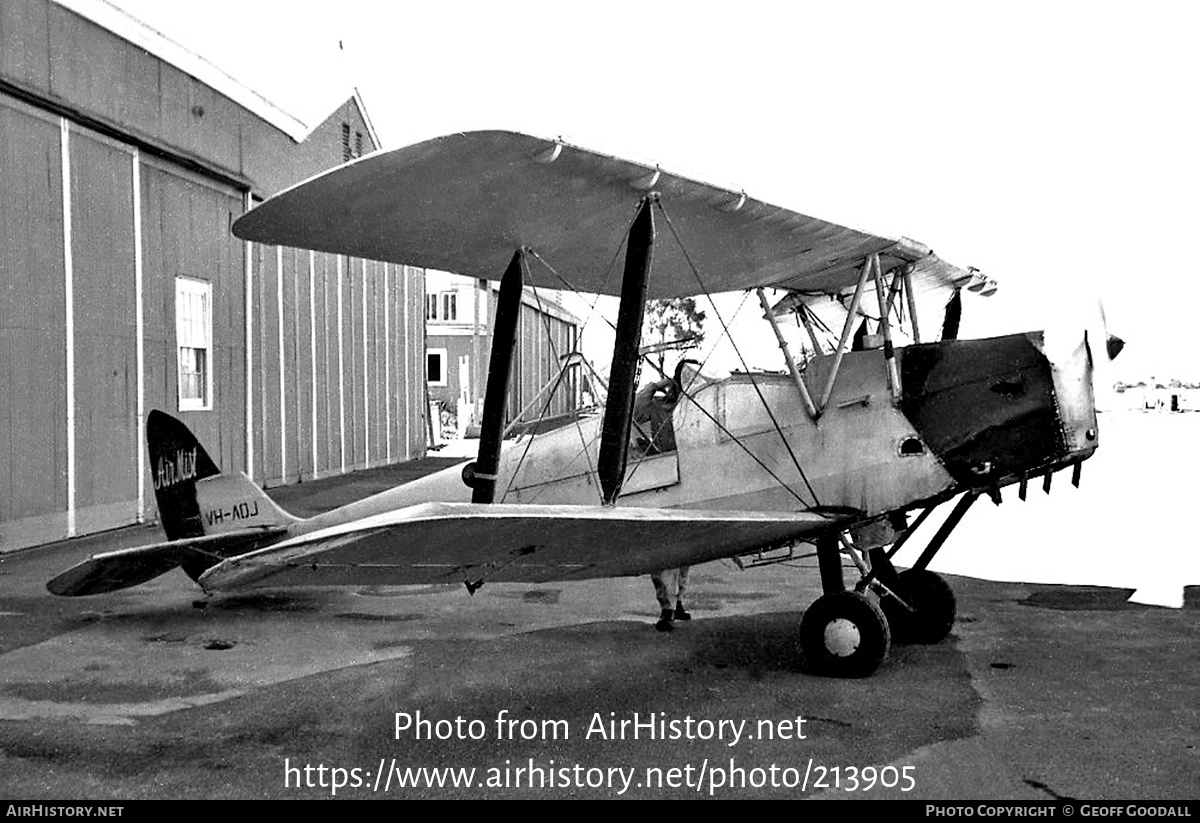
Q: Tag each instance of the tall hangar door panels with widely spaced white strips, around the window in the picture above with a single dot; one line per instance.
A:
(79, 297)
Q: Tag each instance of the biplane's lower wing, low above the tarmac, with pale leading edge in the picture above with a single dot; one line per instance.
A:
(441, 543)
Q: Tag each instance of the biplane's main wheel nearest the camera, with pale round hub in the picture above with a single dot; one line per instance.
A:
(844, 635)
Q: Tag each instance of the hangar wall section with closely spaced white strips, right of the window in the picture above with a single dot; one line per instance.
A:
(339, 395)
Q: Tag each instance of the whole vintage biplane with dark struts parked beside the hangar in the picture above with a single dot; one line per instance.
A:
(849, 450)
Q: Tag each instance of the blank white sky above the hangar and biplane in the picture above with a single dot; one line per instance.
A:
(1052, 146)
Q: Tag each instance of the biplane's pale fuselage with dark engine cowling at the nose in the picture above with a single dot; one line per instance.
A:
(969, 414)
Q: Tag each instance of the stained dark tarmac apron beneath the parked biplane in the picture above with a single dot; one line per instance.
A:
(158, 692)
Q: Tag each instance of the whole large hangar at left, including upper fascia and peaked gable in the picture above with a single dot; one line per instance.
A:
(122, 173)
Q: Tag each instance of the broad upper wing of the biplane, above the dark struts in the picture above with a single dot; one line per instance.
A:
(466, 202)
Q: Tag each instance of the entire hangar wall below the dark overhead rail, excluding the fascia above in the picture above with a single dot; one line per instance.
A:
(338, 345)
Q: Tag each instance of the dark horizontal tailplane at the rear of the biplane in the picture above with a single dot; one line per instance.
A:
(129, 567)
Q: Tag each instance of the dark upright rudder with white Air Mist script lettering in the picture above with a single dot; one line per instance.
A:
(177, 462)
